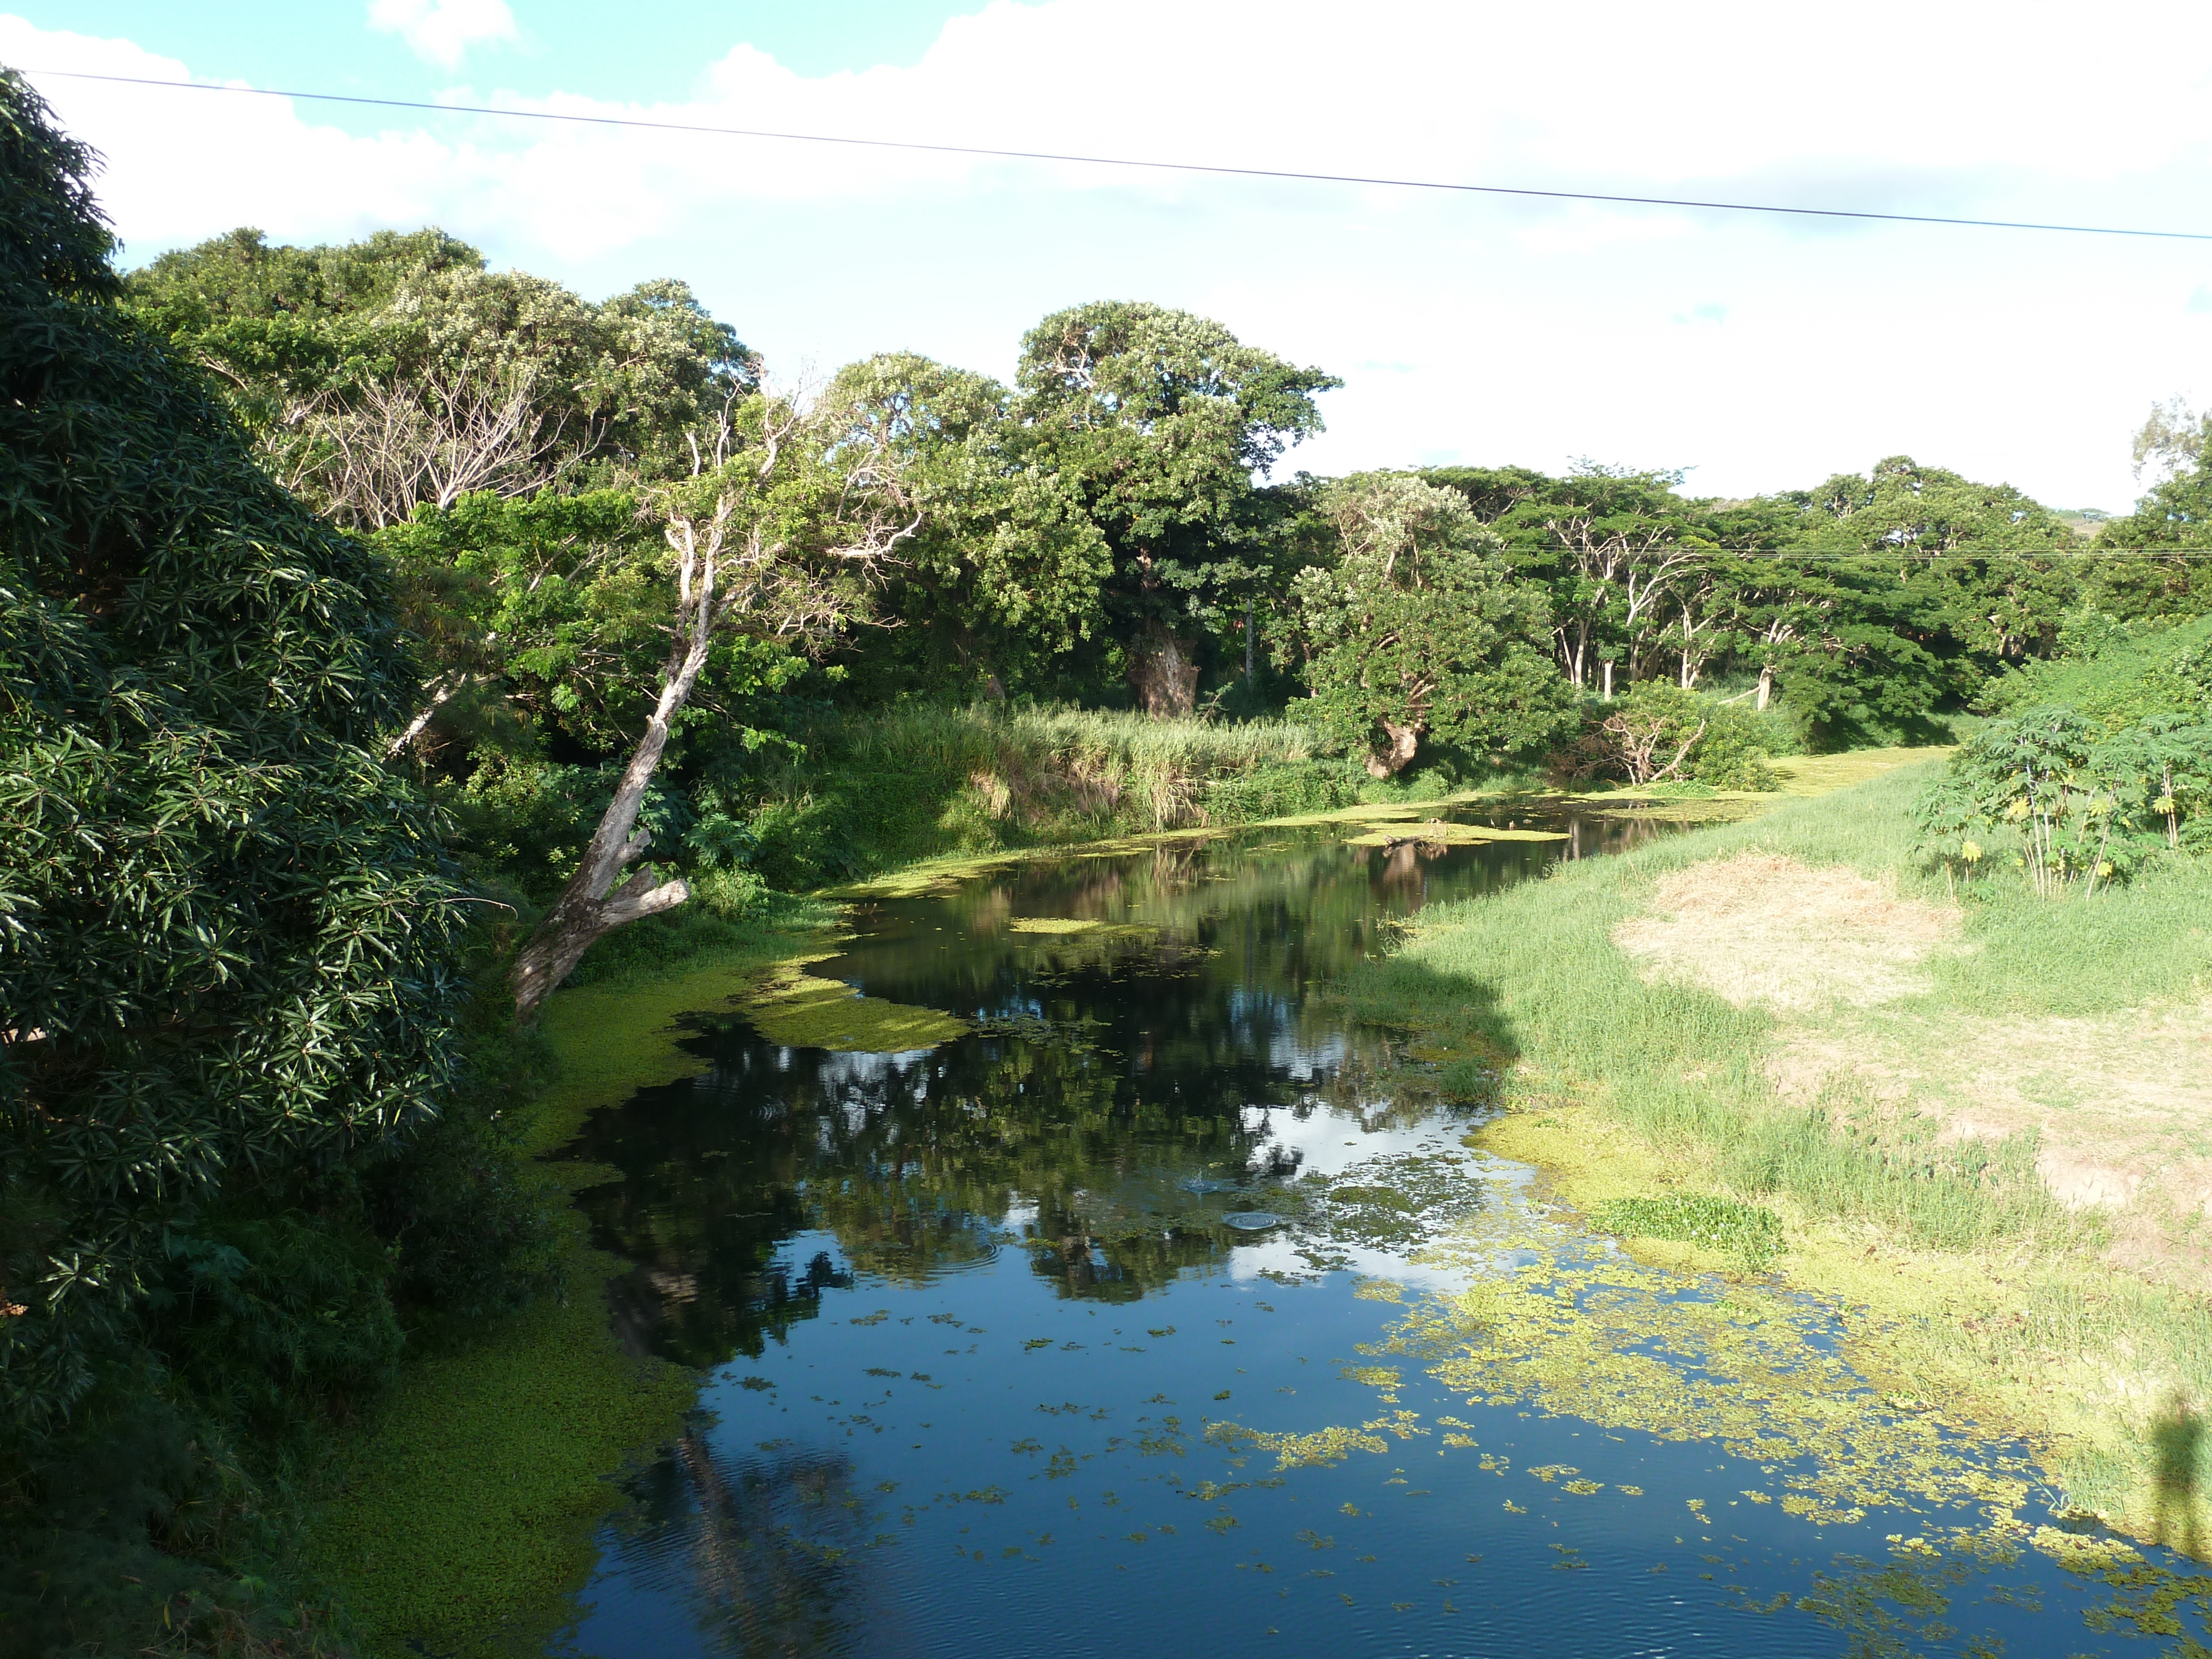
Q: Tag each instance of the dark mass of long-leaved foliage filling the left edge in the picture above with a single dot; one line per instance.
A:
(236, 1158)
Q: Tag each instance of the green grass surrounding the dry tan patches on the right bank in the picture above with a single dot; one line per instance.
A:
(1979, 1284)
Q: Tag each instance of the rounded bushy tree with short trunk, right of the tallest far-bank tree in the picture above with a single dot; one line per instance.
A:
(1421, 632)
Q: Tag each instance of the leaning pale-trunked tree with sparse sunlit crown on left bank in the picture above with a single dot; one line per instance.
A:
(773, 536)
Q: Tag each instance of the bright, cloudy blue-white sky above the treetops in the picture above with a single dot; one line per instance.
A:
(1753, 353)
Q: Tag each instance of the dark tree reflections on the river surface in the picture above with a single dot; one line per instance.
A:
(1125, 1089)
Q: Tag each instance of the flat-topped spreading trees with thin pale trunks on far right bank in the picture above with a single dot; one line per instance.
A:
(1870, 605)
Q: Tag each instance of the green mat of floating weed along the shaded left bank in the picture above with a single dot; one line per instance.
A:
(463, 1512)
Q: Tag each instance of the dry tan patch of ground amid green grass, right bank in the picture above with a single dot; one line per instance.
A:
(2120, 1107)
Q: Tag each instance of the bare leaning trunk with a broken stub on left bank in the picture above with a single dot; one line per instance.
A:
(592, 906)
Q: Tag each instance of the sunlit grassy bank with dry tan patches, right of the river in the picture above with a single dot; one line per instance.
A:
(1653, 1043)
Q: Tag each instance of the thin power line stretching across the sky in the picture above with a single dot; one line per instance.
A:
(1131, 163)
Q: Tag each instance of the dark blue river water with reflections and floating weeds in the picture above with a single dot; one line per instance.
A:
(997, 1335)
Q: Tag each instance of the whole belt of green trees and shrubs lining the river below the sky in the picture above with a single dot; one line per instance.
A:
(388, 643)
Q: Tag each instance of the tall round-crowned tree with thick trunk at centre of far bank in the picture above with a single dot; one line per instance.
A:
(1158, 424)
